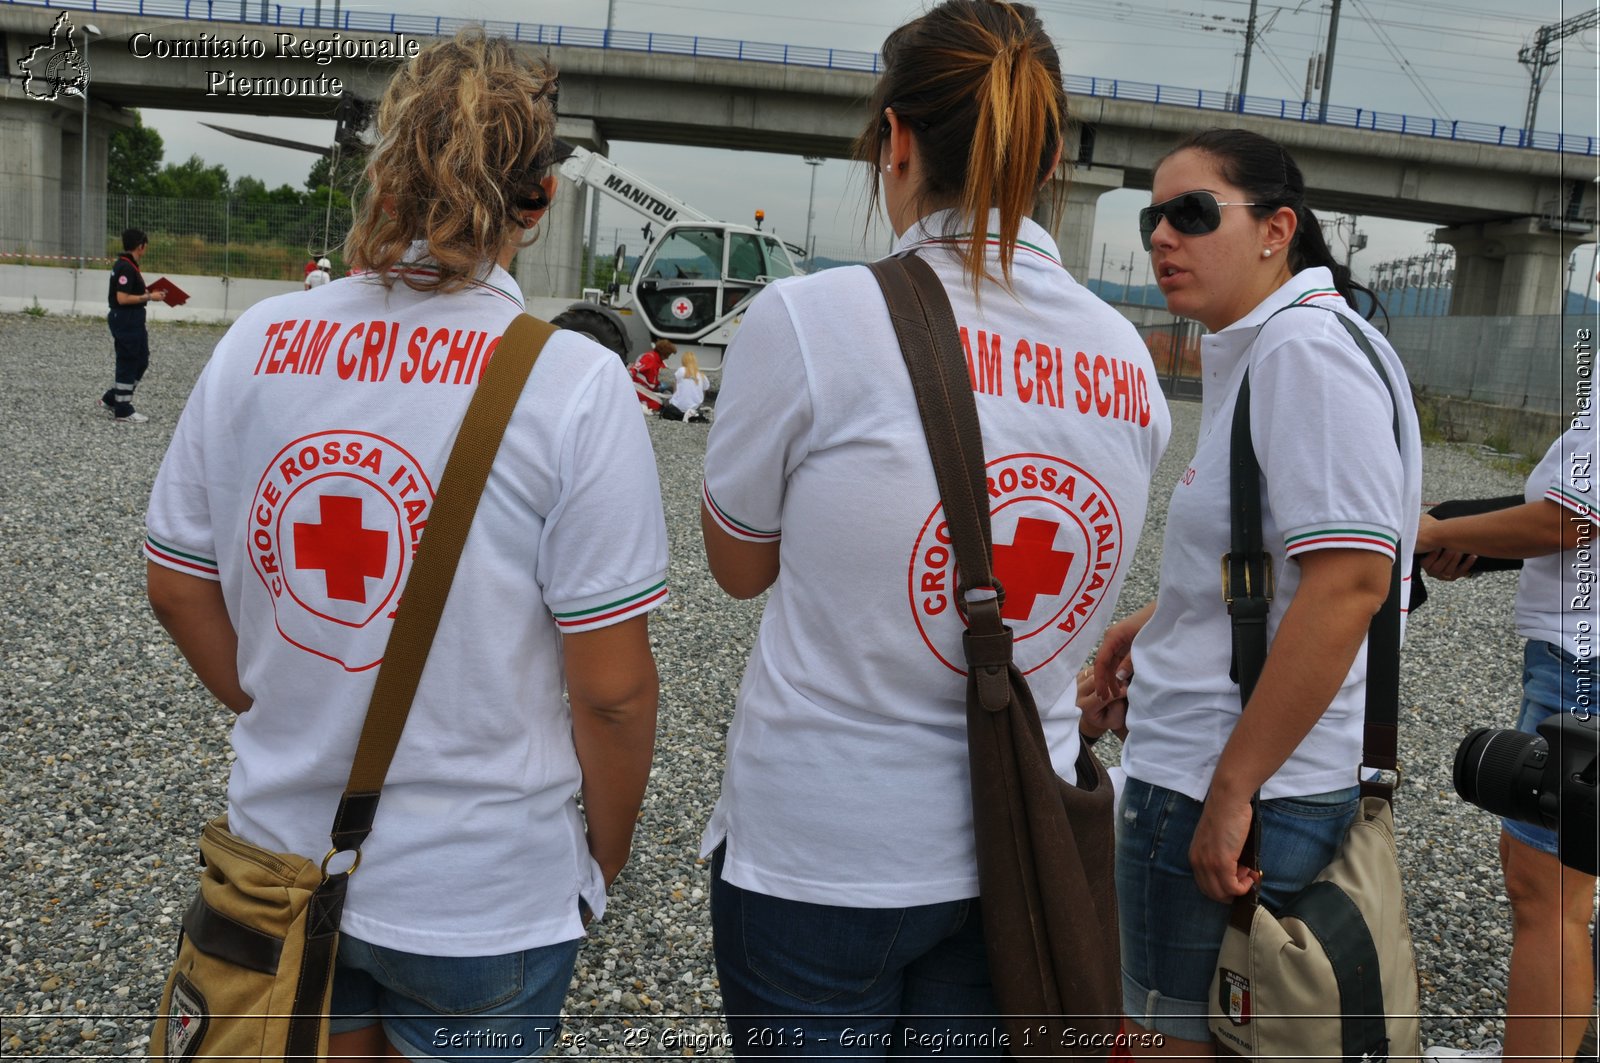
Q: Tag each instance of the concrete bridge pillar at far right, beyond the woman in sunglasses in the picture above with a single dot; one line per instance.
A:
(1508, 268)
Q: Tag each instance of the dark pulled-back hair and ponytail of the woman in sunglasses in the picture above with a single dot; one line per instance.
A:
(1268, 174)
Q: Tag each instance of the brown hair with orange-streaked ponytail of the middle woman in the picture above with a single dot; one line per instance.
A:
(980, 86)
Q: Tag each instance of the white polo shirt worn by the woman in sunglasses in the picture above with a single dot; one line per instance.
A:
(1332, 479)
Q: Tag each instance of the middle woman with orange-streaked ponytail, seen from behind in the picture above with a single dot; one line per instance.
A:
(844, 870)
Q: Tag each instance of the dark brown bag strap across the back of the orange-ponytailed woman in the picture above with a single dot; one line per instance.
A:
(926, 327)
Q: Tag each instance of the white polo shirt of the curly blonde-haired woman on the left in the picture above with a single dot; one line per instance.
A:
(302, 476)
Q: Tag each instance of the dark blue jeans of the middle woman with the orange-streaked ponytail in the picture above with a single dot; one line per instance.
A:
(802, 979)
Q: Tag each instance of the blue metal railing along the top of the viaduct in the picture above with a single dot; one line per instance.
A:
(826, 58)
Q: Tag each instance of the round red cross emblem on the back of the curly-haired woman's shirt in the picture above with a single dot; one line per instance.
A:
(334, 532)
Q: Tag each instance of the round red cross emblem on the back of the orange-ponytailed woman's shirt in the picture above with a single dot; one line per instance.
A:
(1057, 550)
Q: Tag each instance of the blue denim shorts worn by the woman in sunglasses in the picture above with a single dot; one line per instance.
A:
(1170, 931)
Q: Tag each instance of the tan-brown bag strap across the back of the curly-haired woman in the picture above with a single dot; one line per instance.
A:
(428, 587)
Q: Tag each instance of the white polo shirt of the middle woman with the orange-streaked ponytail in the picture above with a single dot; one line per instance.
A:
(847, 779)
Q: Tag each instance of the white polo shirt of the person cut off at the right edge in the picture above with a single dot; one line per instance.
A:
(1556, 595)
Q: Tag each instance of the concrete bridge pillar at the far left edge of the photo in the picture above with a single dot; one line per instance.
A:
(41, 175)
